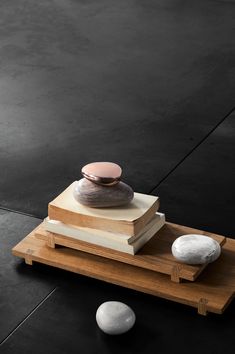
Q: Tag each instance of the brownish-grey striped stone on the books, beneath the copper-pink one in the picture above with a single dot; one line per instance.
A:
(98, 196)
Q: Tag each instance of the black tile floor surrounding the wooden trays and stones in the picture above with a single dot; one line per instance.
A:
(148, 84)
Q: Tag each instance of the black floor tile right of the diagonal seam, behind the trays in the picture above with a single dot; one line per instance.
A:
(200, 191)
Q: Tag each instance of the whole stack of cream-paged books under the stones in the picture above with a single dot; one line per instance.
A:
(126, 228)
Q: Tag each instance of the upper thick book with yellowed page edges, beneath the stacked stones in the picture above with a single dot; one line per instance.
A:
(128, 219)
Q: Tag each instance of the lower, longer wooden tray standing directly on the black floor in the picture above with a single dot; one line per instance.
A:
(212, 292)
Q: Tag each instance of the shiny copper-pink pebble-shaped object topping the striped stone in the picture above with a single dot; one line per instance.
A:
(102, 172)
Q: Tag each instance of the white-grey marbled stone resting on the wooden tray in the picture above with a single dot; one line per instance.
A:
(195, 249)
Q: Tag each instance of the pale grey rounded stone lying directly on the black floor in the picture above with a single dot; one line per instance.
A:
(114, 317)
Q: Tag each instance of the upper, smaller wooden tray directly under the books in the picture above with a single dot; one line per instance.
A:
(155, 255)
